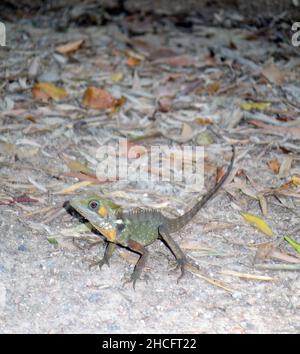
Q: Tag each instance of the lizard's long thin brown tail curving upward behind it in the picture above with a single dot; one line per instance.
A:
(179, 222)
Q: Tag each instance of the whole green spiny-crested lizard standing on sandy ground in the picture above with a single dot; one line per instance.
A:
(137, 229)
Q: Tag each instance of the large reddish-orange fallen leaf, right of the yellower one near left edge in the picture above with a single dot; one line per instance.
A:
(98, 98)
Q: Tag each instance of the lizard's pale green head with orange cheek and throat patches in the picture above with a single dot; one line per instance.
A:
(101, 213)
